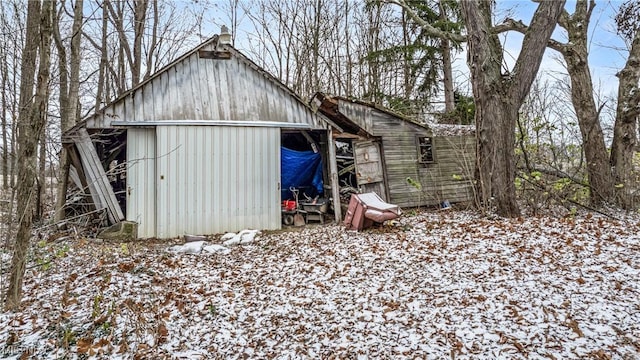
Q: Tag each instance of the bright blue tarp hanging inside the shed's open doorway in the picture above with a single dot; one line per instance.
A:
(300, 169)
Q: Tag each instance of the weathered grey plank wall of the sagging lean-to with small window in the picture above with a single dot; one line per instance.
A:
(450, 177)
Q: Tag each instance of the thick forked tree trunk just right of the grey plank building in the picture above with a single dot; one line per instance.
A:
(498, 97)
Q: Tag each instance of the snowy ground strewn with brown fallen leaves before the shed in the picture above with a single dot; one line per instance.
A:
(437, 285)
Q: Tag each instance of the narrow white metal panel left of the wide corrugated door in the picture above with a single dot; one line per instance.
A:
(141, 175)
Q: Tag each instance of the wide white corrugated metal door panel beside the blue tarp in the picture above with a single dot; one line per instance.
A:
(214, 179)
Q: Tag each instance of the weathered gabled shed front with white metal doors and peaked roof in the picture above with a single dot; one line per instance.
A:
(203, 139)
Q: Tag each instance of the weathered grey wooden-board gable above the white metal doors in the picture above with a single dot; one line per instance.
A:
(209, 89)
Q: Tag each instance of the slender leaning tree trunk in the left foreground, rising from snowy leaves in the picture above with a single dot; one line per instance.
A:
(30, 123)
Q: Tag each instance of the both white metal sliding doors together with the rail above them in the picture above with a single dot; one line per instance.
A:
(203, 177)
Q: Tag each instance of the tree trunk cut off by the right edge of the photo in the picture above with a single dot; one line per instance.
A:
(624, 131)
